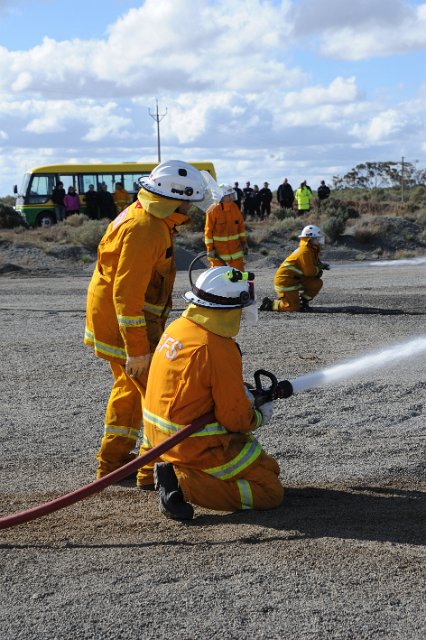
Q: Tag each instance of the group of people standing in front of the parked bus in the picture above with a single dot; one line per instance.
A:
(98, 204)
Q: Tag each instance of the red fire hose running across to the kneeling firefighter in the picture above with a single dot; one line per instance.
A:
(96, 486)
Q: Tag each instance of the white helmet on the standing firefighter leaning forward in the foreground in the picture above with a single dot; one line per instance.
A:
(177, 180)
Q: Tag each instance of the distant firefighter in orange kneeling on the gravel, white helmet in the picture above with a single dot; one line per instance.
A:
(298, 279)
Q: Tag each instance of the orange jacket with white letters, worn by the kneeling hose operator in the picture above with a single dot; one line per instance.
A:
(195, 371)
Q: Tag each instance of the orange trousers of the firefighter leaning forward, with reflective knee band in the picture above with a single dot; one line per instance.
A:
(123, 419)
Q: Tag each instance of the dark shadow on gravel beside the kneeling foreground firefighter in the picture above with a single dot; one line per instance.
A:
(359, 512)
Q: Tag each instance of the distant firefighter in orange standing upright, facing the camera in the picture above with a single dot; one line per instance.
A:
(225, 233)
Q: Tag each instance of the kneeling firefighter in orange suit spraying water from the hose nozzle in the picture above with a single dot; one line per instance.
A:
(197, 368)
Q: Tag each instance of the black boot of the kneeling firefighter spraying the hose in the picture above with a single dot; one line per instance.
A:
(172, 502)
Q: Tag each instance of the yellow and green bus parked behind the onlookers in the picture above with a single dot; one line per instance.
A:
(34, 199)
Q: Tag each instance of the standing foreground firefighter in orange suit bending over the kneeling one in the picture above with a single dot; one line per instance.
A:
(129, 297)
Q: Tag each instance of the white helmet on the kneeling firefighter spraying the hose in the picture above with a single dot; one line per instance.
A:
(222, 288)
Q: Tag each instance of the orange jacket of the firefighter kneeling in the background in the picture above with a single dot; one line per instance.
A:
(303, 262)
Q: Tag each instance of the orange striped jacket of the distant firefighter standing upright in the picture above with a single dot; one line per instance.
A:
(225, 231)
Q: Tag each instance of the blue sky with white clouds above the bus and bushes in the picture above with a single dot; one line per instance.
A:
(264, 89)
